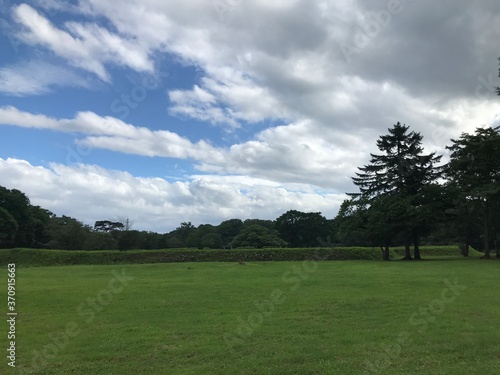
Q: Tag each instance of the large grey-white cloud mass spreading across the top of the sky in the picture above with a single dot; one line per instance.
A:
(256, 66)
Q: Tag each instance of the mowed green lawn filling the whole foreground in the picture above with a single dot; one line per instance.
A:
(343, 317)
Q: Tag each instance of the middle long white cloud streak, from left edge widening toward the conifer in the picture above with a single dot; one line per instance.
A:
(291, 153)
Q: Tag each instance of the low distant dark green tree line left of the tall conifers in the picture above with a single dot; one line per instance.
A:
(25, 225)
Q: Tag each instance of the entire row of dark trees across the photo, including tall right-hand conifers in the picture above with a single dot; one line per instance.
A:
(405, 198)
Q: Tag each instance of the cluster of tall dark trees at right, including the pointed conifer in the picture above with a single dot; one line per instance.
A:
(405, 197)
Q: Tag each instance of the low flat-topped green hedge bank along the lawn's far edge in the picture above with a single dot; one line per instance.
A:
(37, 257)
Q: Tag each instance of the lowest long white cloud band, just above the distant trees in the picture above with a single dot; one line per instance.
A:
(92, 193)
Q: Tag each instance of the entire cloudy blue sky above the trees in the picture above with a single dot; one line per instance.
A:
(206, 110)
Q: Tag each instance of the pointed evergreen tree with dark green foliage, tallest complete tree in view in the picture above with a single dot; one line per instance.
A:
(397, 196)
